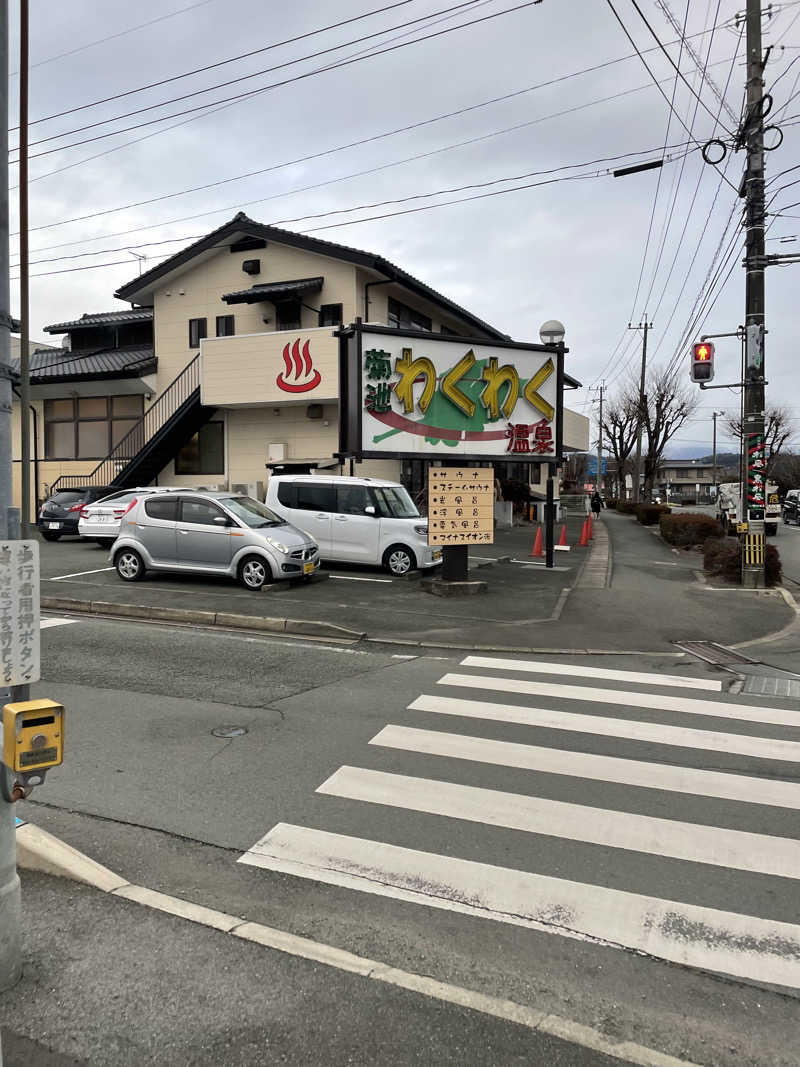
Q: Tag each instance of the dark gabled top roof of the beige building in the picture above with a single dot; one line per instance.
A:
(243, 225)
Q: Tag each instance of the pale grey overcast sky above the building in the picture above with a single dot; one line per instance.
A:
(572, 250)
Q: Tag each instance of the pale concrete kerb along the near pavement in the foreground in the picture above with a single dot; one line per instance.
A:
(40, 851)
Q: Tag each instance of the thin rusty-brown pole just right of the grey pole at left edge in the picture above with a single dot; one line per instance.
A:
(25, 333)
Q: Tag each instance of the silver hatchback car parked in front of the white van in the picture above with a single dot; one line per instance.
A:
(202, 533)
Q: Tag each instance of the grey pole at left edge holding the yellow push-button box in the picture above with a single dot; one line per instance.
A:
(10, 936)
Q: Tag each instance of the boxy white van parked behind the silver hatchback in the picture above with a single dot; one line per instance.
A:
(356, 520)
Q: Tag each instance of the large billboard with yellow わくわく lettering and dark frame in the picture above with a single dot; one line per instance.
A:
(420, 395)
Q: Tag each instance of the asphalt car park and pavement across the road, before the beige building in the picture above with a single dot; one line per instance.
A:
(628, 592)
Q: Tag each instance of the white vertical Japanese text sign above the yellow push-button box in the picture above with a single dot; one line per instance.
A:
(20, 619)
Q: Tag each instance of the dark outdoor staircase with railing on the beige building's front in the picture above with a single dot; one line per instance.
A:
(150, 445)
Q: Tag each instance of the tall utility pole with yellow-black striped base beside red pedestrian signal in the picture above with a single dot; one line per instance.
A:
(753, 437)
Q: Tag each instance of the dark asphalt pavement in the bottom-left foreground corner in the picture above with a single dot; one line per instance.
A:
(108, 983)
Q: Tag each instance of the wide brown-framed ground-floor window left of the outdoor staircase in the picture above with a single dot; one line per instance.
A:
(89, 428)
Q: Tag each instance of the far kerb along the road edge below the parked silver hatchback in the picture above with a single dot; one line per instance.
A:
(308, 628)
